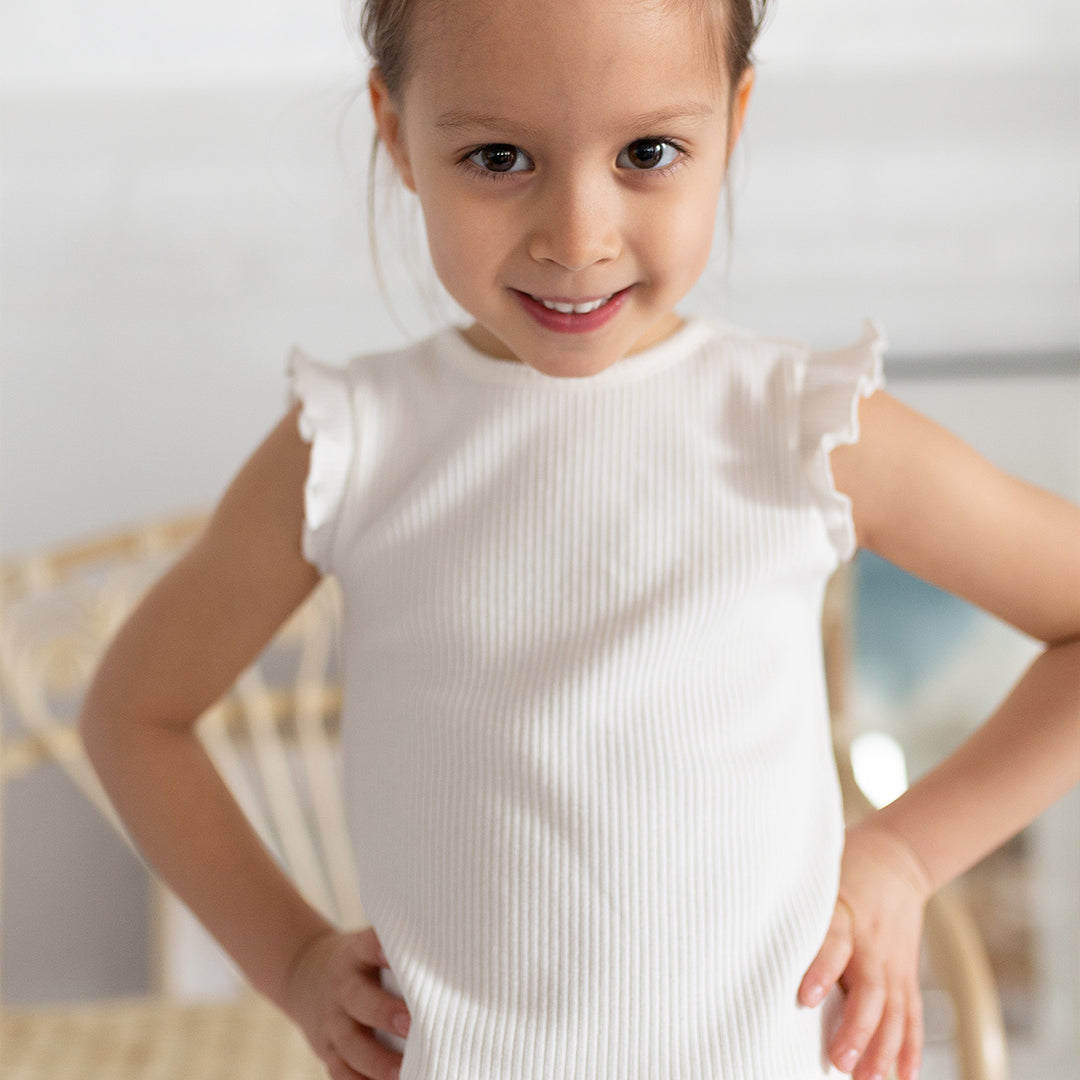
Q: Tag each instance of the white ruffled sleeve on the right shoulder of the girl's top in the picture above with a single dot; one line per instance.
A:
(832, 386)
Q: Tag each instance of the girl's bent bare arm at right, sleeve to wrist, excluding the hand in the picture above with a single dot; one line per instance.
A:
(929, 504)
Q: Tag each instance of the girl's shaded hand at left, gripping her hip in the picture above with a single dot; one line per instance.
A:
(335, 996)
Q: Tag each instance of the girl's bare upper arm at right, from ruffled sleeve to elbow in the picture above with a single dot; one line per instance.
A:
(927, 502)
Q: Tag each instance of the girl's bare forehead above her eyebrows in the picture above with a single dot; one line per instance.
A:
(572, 64)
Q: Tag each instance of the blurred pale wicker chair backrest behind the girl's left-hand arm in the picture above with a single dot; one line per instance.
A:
(274, 737)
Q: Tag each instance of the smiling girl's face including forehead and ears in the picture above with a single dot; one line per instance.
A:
(564, 152)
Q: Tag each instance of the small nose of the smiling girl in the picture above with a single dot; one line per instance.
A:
(576, 223)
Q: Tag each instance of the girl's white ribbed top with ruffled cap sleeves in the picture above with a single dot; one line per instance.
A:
(587, 753)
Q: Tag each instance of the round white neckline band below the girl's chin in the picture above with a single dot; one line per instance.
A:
(467, 358)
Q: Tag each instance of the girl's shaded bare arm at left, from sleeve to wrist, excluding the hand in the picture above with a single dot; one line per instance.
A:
(207, 619)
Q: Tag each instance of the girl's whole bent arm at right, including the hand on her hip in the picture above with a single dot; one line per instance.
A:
(929, 504)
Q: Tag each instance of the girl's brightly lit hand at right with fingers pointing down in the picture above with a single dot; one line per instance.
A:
(872, 950)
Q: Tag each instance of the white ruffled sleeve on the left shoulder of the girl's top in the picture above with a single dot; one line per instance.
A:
(327, 423)
